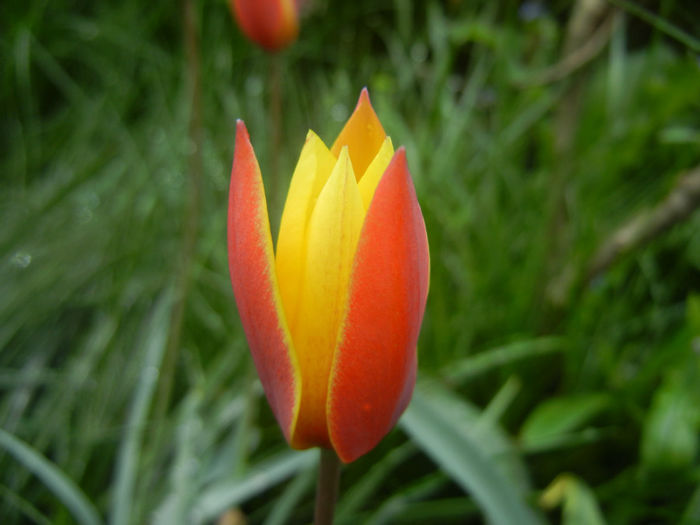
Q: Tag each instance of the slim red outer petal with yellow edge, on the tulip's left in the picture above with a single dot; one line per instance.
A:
(252, 268)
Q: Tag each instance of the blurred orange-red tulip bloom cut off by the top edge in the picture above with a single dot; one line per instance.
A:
(272, 24)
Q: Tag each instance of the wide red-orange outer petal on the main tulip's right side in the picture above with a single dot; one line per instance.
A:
(374, 367)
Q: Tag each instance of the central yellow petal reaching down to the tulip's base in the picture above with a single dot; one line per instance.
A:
(333, 231)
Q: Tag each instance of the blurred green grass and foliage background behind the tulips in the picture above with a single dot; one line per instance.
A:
(555, 149)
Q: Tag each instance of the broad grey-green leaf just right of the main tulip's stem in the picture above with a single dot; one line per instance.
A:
(432, 426)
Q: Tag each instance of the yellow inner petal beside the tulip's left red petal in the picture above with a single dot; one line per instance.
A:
(310, 175)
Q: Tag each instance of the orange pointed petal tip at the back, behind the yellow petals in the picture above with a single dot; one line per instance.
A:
(363, 134)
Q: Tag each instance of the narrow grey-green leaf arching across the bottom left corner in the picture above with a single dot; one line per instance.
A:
(56, 480)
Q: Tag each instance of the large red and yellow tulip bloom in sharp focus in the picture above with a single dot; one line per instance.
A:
(332, 318)
